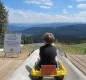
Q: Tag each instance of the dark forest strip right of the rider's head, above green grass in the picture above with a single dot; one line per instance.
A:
(70, 39)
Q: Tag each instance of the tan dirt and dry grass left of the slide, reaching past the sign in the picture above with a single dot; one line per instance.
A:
(9, 64)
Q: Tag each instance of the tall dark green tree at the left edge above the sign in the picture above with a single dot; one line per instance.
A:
(3, 19)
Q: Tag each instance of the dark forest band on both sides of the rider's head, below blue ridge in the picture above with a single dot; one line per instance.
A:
(67, 39)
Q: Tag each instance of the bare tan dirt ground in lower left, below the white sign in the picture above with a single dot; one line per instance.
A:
(10, 64)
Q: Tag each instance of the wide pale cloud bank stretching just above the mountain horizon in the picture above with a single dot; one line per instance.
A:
(27, 16)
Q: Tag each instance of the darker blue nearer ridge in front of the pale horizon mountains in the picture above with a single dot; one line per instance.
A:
(76, 29)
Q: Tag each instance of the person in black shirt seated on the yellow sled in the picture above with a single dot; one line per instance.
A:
(48, 52)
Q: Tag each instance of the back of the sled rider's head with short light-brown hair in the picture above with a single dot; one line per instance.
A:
(48, 38)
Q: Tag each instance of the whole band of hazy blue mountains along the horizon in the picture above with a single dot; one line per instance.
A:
(56, 28)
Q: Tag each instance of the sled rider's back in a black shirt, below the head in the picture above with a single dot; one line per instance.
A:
(47, 54)
